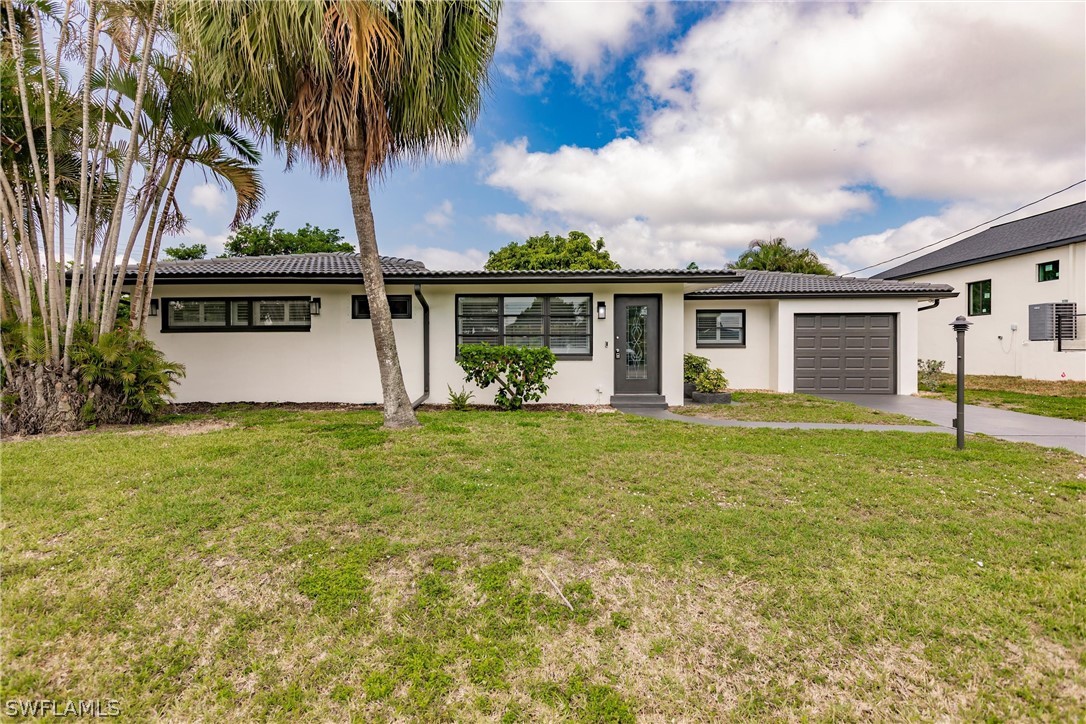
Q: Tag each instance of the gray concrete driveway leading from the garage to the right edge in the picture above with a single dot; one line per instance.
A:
(1016, 427)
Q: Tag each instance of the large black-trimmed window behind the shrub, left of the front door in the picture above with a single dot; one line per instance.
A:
(560, 322)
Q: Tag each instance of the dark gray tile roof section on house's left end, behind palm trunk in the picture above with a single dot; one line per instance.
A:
(333, 264)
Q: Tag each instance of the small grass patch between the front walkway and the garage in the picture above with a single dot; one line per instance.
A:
(776, 408)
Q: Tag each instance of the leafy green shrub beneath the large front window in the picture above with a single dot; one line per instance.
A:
(521, 373)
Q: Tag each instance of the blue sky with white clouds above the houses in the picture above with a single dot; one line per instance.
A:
(681, 132)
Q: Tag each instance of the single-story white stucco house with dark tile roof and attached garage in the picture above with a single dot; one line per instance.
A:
(296, 329)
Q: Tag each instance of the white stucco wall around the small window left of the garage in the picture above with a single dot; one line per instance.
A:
(753, 367)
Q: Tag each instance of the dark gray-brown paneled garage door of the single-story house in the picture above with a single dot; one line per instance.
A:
(847, 353)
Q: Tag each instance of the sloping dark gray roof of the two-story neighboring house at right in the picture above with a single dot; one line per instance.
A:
(1055, 228)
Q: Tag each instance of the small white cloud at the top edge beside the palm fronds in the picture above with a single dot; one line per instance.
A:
(585, 35)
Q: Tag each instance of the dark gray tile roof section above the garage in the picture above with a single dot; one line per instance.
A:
(766, 285)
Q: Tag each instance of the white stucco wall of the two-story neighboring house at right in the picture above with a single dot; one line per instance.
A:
(1015, 287)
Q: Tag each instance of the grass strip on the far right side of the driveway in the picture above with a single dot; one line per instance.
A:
(1063, 399)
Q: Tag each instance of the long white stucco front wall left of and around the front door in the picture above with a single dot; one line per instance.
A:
(335, 362)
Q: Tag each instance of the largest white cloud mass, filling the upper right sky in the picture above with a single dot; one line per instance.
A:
(773, 120)
